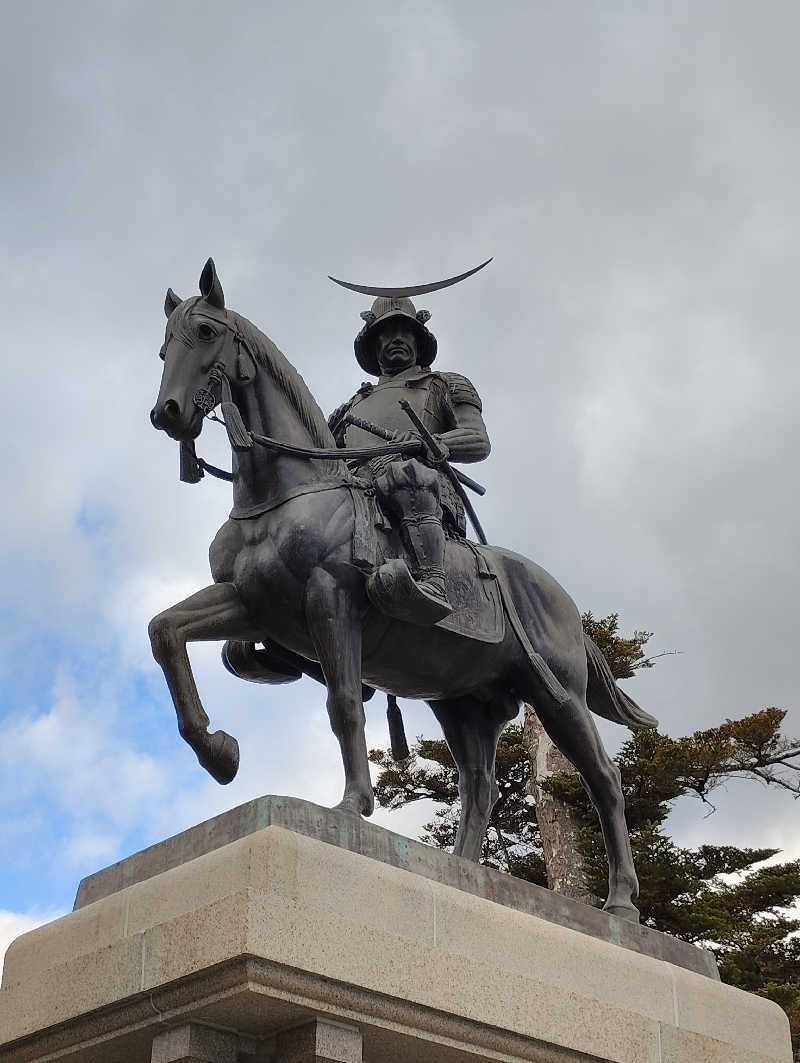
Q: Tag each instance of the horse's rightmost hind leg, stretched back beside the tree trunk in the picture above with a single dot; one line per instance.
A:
(572, 729)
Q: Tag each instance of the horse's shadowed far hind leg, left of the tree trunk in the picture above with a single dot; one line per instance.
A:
(472, 729)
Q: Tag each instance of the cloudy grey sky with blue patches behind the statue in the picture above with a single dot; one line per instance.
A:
(634, 170)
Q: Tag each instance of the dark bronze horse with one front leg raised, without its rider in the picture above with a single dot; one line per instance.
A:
(284, 575)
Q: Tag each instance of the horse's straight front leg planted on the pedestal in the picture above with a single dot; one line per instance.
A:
(334, 610)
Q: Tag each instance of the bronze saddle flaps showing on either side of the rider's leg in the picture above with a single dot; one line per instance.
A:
(472, 585)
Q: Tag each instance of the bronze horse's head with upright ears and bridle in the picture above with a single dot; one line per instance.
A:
(201, 346)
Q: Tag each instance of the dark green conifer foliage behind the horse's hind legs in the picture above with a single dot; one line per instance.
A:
(713, 895)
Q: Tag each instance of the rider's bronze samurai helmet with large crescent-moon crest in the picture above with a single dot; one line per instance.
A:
(397, 302)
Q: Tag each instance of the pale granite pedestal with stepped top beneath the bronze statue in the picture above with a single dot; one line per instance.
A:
(244, 941)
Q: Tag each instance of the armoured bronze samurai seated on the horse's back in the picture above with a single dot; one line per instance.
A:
(397, 347)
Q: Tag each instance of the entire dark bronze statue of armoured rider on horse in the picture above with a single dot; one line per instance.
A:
(336, 562)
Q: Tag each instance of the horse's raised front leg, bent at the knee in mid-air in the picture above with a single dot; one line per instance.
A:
(214, 614)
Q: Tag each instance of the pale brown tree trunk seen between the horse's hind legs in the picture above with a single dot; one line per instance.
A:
(557, 826)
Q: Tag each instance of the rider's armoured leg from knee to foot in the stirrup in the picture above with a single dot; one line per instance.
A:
(418, 596)
